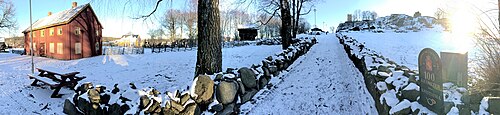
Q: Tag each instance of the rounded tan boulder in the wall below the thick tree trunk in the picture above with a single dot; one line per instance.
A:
(203, 90)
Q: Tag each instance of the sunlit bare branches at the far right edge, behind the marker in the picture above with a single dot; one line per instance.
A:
(488, 42)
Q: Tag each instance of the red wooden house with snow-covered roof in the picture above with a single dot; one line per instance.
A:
(71, 34)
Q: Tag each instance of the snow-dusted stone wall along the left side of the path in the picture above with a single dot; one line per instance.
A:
(222, 93)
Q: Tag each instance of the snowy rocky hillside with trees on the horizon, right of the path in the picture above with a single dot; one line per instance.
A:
(394, 22)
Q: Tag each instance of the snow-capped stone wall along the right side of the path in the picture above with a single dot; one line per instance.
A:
(395, 88)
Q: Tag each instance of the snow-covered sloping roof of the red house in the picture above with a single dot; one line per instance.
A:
(59, 18)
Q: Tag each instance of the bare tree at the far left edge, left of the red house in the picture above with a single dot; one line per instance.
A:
(7, 16)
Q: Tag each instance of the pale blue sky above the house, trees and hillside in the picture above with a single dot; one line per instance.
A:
(115, 16)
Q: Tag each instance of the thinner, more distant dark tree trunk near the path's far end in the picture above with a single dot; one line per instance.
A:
(286, 23)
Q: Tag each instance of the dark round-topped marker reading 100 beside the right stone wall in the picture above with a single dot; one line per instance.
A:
(431, 81)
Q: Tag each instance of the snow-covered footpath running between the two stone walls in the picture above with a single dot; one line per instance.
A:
(324, 81)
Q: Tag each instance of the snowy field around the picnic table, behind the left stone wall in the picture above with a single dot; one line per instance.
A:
(163, 71)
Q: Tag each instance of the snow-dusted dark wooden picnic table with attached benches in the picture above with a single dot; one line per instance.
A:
(56, 79)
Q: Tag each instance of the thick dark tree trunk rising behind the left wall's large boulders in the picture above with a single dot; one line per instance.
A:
(209, 57)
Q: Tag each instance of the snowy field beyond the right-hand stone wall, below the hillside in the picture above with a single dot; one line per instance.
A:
(403, 48)
